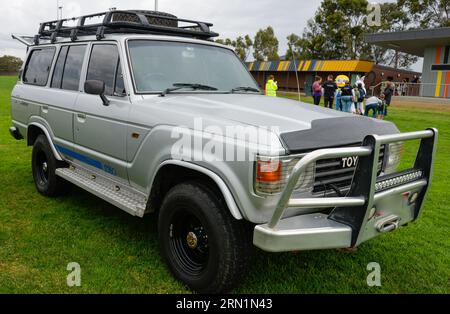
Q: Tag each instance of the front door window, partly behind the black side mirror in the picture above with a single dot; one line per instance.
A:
(104, 65)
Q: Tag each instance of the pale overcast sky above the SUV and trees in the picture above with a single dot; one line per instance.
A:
(231, 18)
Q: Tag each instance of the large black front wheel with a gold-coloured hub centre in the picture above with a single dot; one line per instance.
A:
(204, 246)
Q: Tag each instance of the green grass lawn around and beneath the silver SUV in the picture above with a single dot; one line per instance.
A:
(119, 253)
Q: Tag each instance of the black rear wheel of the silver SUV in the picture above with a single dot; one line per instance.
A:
(44, 165)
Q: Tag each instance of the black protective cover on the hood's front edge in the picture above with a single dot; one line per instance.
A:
(335, 132)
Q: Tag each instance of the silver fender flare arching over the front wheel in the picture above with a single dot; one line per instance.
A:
(228, 197)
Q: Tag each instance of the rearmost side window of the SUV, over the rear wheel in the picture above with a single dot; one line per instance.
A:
(38, 66)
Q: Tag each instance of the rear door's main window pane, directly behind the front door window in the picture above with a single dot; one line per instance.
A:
(72, 69)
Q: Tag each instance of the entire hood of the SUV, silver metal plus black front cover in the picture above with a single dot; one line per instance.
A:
(300, 126)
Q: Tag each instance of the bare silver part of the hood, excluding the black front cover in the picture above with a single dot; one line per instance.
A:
(247, 109)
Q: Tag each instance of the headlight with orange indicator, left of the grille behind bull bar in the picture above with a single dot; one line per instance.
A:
(272, 175)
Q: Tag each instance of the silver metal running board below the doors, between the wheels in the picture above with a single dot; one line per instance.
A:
(124, 197)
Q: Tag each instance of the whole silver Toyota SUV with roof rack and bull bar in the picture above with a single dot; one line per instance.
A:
(143, 110)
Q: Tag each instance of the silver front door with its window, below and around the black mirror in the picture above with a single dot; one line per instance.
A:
(100, 131)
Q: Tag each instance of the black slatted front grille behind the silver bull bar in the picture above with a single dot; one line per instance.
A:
(330, 175)
